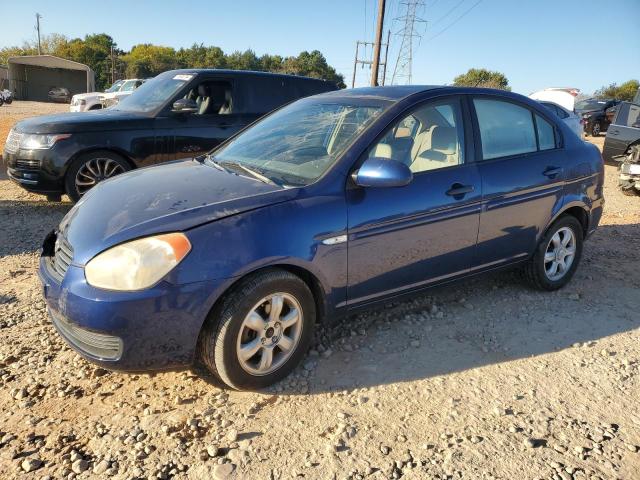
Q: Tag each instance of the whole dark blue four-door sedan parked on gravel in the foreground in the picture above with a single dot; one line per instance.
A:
(332, 204)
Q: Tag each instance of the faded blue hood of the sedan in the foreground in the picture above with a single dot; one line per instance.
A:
(173, 197)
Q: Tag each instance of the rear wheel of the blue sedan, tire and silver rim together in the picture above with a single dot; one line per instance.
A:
(557, 256)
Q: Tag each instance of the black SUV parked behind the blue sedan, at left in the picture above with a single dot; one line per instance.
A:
(178, 114)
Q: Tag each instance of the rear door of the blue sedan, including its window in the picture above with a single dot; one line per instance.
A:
(522, 169)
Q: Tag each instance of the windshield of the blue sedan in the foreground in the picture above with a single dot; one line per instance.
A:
(297, 144)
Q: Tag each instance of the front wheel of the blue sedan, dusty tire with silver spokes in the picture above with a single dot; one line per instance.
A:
(225, 333)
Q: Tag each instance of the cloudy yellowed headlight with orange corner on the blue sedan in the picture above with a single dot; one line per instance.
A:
(138, 264)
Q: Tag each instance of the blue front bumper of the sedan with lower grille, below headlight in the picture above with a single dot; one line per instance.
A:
(154, 329)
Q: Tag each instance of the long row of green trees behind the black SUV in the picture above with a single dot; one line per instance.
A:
(147, 60)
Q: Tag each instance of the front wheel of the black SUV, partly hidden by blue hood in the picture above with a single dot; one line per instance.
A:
(99, 164)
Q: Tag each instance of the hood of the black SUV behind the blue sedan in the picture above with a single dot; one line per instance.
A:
(70, 122)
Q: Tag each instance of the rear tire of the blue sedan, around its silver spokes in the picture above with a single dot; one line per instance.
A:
(536, 271)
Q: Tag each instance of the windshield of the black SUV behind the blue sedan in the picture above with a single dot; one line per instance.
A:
(153, 94)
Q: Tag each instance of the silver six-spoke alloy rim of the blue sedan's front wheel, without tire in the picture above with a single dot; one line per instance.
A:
(269, 334)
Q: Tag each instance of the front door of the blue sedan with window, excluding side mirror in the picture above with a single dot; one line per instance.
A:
(406, 237)
